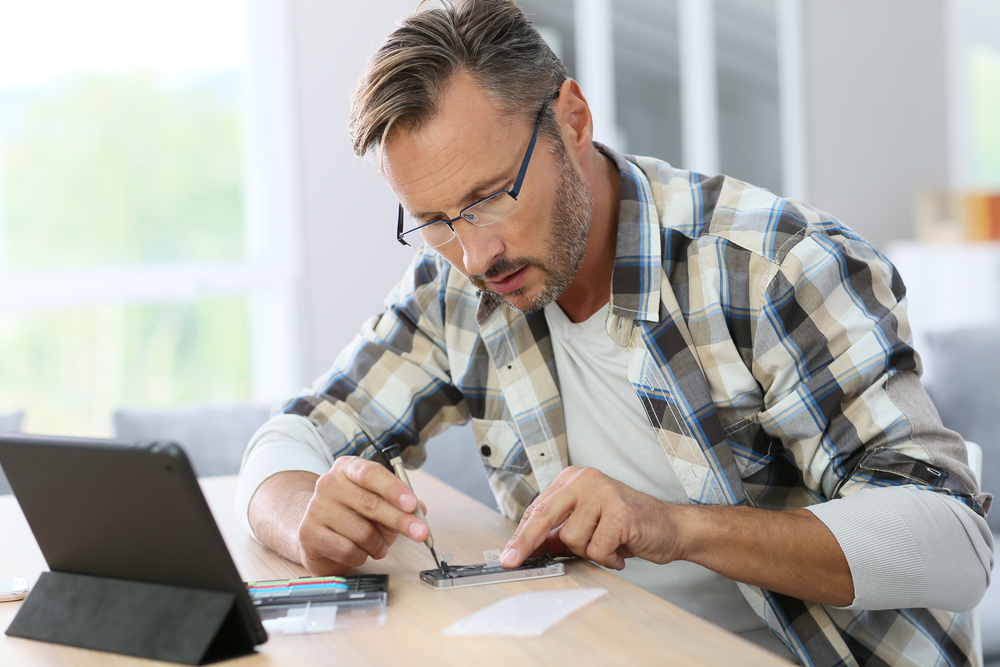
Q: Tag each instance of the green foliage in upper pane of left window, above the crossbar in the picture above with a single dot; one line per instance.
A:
(105, 169)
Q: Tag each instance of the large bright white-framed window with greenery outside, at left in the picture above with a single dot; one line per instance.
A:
(137, 262)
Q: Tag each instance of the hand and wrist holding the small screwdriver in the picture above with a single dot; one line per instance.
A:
(332, 523)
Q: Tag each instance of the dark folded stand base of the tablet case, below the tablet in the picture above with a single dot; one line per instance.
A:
(193, 626)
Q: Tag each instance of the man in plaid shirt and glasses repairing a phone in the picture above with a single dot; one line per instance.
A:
(727, 371)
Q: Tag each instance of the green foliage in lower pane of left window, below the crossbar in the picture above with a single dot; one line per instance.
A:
(70, 369)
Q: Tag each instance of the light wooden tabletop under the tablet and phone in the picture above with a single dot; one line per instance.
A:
(626, 626)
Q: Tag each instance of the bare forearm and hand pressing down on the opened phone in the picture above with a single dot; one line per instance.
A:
(590, 515)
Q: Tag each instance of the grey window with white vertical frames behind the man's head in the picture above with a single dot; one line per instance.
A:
(709, 86)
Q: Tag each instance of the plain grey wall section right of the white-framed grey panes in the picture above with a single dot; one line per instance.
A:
(876, 109)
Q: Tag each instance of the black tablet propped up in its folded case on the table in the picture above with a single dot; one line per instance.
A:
(138, 565)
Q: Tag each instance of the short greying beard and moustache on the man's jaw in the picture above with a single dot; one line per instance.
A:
(572, 215)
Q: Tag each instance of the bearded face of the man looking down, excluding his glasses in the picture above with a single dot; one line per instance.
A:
(467, 151)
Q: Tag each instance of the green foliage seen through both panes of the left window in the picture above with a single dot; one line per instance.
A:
(129, 168)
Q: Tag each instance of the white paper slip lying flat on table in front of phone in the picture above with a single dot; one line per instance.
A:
(524, 615)
